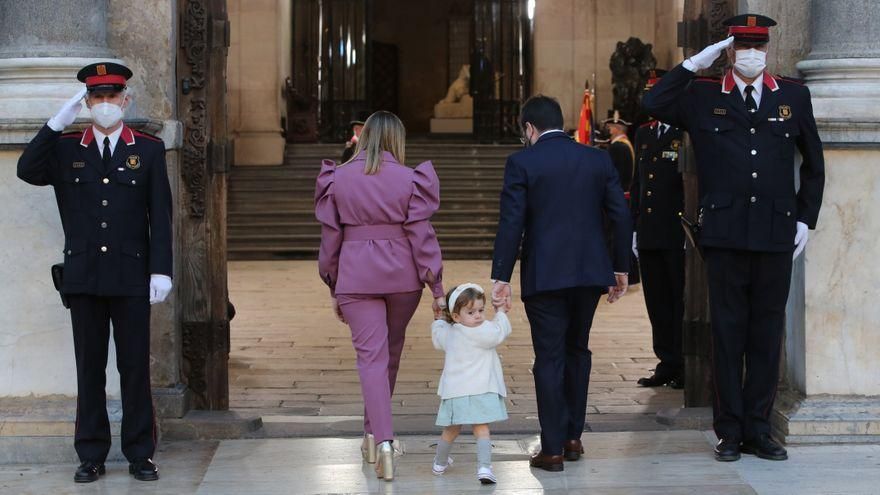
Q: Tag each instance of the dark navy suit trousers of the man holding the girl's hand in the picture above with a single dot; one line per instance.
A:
(560, 322)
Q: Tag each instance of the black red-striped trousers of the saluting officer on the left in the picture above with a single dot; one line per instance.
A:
(91, 317)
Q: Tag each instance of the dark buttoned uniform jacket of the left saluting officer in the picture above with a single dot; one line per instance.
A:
(117, 222)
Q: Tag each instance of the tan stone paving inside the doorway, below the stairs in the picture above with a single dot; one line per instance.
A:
(292, 362)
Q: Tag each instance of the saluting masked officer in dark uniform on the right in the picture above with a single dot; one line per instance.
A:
(745, 129)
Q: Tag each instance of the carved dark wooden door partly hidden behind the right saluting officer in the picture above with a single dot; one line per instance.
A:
(701, 25)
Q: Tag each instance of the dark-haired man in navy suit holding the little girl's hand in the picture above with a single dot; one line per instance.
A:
(556, 193)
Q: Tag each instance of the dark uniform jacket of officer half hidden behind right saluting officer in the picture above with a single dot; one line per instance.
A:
(657, 195)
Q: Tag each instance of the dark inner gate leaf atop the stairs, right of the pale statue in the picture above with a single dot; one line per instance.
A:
(501, 67)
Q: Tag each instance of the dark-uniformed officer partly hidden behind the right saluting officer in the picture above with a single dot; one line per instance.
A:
(657, 202)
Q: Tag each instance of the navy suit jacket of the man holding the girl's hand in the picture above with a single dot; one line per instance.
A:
(555, 196)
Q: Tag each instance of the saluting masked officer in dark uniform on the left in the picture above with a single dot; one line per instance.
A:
(114, 198)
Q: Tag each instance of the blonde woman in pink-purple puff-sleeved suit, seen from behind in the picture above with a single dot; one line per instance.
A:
(378, 250)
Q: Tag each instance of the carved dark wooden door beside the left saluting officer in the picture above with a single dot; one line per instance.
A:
(202, 295)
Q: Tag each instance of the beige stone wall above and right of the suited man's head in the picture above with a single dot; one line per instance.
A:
(574, 39)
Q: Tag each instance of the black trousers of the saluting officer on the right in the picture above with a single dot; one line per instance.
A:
(747, 295)
